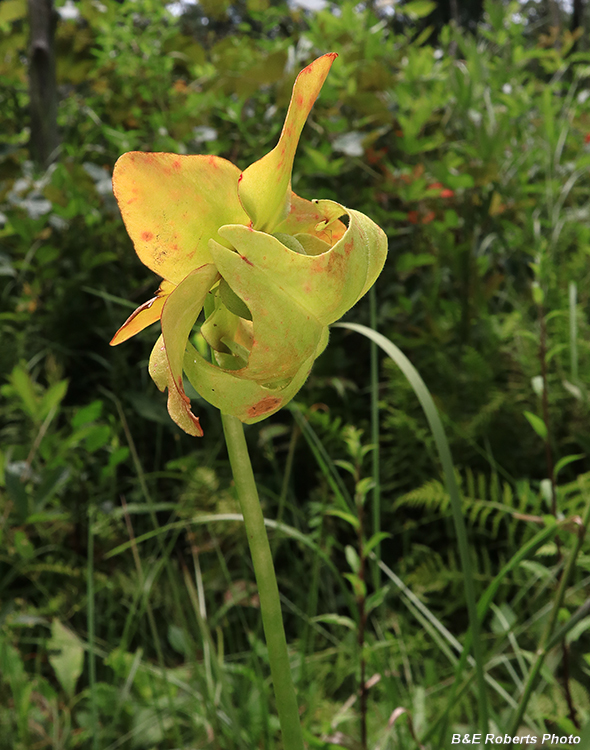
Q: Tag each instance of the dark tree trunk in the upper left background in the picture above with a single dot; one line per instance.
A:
(42, 83)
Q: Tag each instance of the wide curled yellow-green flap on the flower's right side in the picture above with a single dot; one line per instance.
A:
(325, 285)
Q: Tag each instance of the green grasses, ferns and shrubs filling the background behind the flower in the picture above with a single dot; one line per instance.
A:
(469, 143)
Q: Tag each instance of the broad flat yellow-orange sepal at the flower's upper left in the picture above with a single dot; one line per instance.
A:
(173, 204)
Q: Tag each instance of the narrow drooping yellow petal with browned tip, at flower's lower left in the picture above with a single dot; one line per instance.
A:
(180, 312)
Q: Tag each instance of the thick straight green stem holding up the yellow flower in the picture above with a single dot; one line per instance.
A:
(268, 591)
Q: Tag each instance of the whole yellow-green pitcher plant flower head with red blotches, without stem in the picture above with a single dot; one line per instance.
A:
(271, 270)
